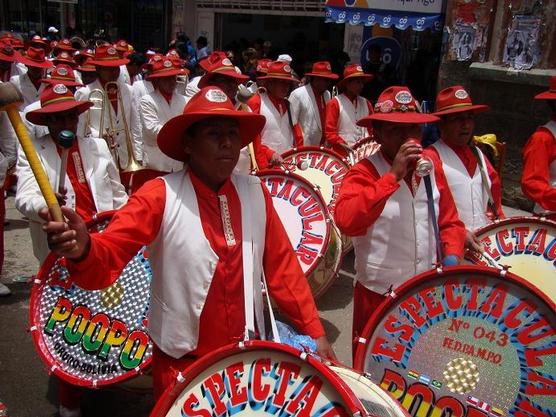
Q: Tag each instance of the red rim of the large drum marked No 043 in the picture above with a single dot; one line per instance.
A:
(359, 361)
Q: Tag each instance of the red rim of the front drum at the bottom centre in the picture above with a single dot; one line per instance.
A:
(171, 394)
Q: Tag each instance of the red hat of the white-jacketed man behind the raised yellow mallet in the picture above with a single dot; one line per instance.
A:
(54, 99)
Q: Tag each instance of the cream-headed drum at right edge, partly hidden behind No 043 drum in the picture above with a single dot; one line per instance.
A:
(527, 245)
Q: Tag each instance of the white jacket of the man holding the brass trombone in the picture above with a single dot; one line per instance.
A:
(130, 112)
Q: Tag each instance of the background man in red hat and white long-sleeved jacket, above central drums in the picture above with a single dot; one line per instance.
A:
(308, 103)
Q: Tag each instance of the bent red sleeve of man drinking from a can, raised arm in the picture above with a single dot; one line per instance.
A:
(363, 195)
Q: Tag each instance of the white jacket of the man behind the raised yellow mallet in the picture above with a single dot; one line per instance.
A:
(101, 174)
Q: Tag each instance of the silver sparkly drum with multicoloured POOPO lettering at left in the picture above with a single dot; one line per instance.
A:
(92, 338)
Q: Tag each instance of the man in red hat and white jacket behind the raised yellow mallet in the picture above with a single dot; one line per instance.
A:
(92, 184)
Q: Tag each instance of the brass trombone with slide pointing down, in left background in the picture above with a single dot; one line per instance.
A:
(100, 100)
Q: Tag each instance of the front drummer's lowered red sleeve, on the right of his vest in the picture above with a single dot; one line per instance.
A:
(287, 284)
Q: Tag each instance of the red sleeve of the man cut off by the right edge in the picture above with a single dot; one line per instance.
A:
(538, 154)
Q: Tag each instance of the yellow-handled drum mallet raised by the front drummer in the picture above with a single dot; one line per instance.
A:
(10, 97)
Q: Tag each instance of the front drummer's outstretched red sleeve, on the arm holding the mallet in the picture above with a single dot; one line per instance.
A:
(134, 225)
